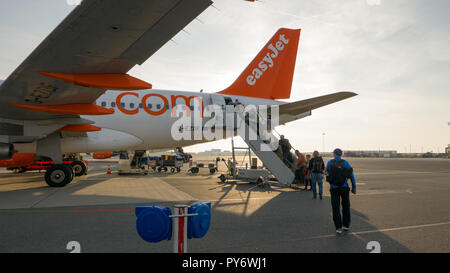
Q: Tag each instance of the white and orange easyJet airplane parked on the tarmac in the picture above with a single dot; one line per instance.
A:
(73, 95)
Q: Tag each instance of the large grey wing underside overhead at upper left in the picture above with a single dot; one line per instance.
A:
(97, 37)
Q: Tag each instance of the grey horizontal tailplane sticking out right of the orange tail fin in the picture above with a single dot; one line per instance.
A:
(300, 109)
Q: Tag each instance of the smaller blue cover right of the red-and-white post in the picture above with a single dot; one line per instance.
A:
(199, 225)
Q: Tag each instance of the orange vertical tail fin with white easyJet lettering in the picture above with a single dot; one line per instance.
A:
(270, 74)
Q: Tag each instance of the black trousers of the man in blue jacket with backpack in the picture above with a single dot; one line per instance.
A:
(338, 195)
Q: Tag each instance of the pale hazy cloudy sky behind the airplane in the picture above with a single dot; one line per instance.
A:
(395, 54)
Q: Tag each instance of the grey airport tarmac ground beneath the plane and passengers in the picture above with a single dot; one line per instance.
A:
(401, 204)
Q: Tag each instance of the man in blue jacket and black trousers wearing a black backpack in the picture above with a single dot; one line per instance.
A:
(338, 172)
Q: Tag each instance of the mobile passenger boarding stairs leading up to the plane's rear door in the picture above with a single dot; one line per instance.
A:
(265, 150)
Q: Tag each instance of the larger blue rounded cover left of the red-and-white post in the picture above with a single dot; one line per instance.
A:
(153, 223)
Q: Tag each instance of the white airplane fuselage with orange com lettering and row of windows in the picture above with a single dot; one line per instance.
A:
(144, 120)
